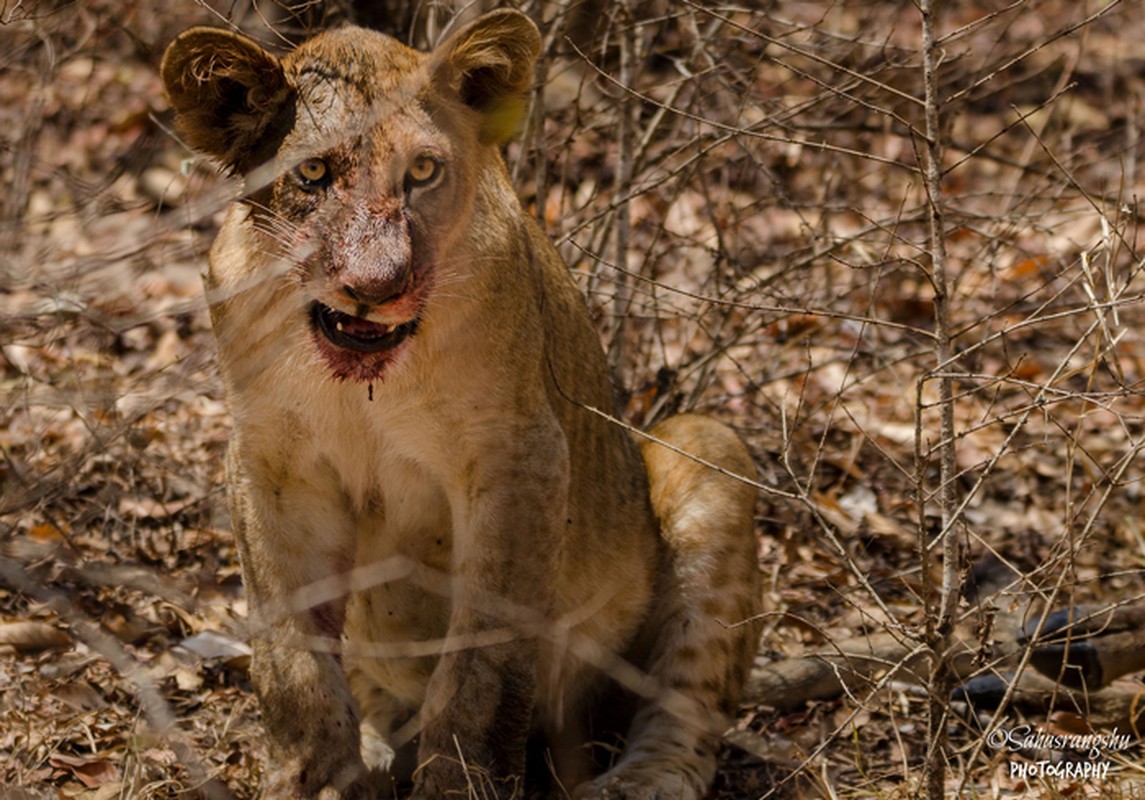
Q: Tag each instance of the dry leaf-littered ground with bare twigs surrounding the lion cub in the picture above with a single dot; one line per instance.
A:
(756, 248)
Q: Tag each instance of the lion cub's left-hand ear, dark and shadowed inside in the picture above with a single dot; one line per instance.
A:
(228, 93)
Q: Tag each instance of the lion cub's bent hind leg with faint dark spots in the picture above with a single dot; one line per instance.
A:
(704, 631)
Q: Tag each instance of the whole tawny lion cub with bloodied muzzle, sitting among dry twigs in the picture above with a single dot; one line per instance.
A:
(452, 561)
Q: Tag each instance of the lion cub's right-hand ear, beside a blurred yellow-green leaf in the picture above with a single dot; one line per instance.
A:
(489, 65)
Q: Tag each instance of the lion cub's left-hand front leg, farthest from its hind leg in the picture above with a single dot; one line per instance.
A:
(294, 551)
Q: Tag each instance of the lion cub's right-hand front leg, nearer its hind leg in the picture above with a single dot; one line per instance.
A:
(480, 702)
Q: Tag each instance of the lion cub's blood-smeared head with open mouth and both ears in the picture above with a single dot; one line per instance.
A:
(361, 157)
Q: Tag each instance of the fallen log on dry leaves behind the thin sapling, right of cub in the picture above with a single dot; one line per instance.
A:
(1076, 658)
